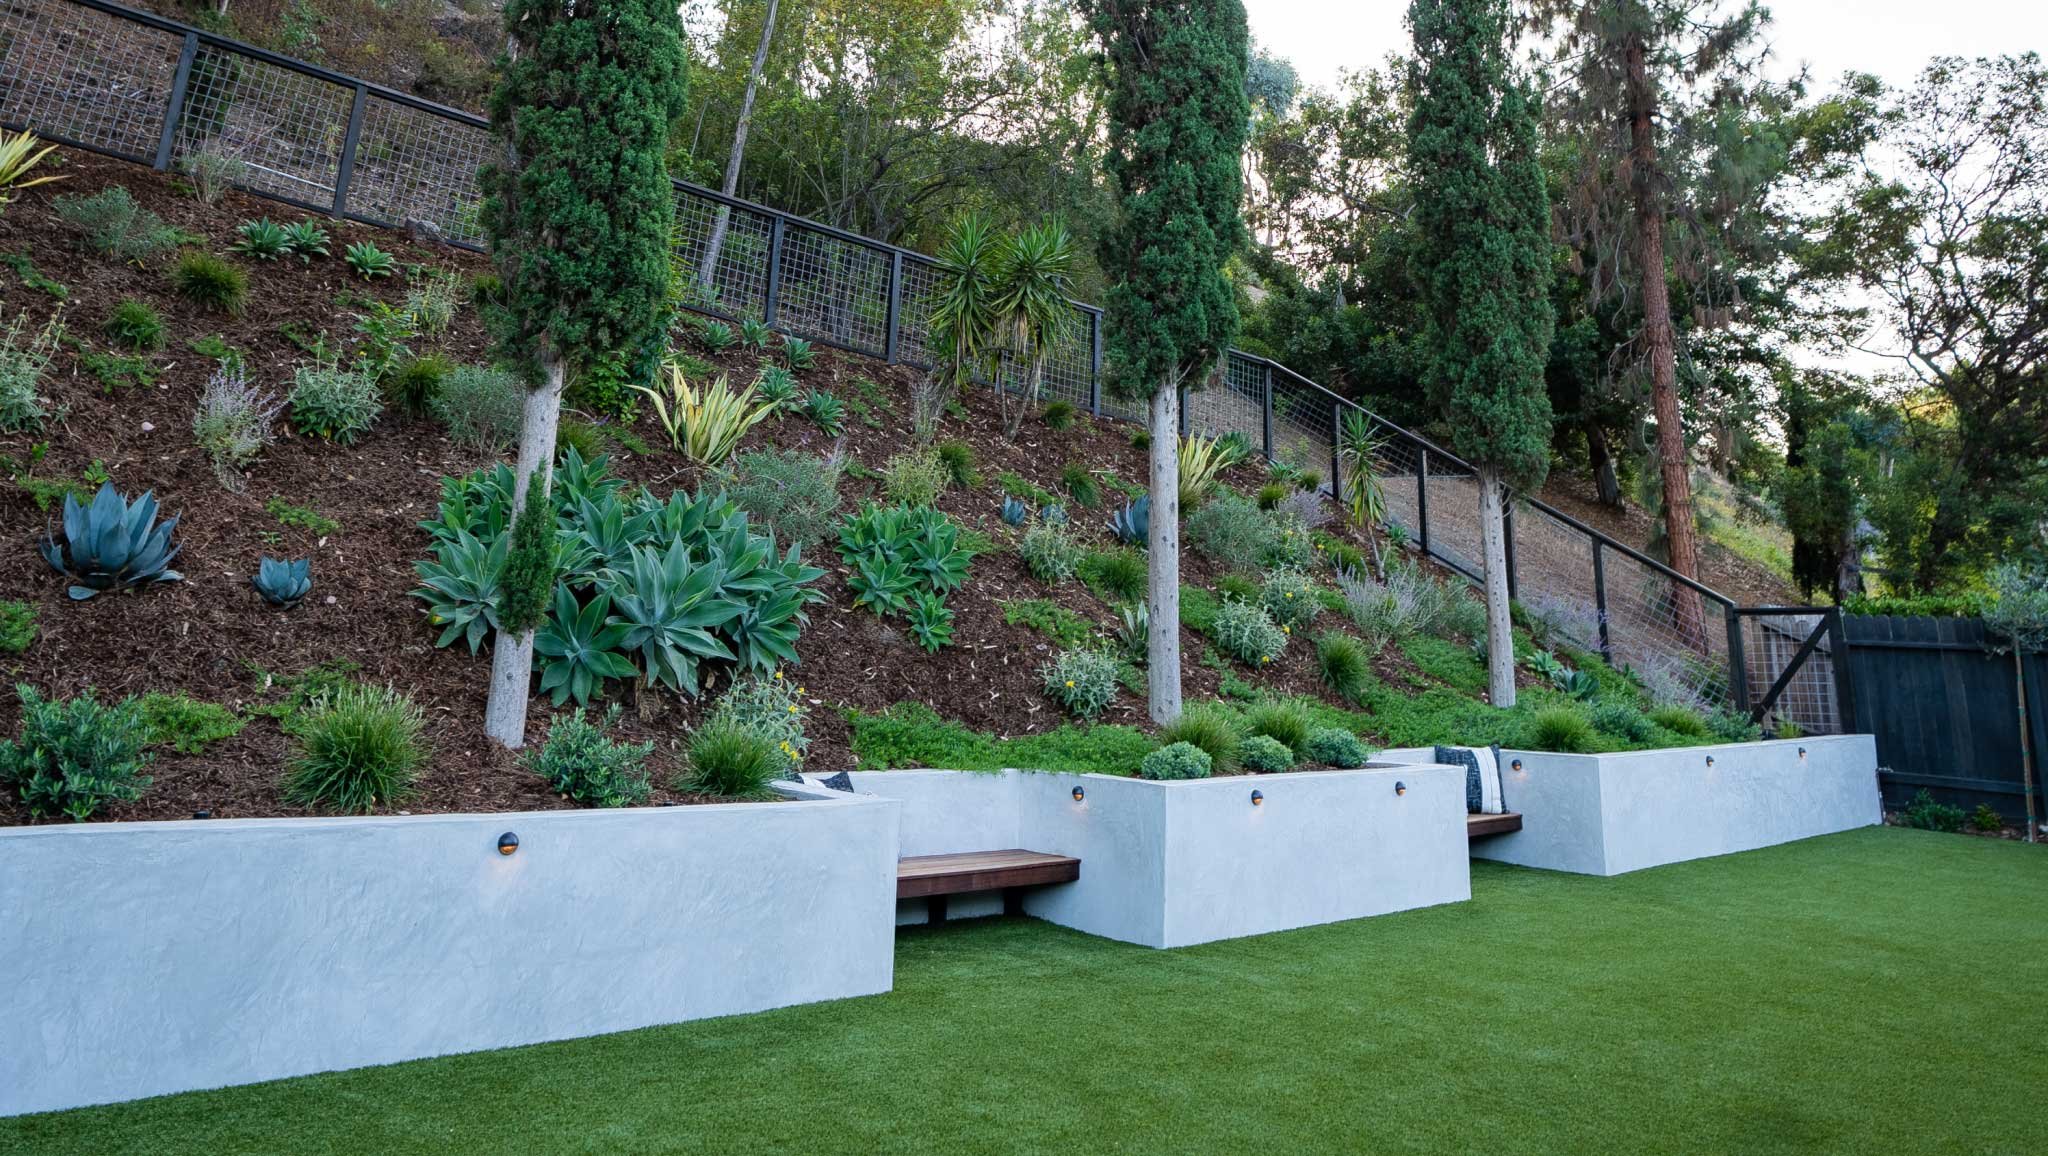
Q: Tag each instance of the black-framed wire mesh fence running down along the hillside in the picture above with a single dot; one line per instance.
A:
(132, 85)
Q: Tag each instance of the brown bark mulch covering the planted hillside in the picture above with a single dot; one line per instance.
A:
(214, 638)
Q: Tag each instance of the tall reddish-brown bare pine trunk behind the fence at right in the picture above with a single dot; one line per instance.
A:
(1662, 352)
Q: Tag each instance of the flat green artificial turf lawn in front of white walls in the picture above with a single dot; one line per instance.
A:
(1863, 993)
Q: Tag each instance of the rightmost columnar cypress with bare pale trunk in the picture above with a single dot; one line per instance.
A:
(1484, 272)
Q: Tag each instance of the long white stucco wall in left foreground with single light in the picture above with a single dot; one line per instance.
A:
(169, 956)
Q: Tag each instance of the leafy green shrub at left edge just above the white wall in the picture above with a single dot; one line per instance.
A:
(75, 757)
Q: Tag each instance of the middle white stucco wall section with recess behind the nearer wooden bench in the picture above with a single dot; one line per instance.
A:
(1193, 862)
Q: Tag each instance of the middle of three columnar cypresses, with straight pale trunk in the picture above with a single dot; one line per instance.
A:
(1175, 77)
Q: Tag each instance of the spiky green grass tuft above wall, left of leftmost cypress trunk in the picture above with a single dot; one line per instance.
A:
(359, 747)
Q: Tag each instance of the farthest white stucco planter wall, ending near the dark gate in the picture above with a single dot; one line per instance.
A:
(1605, 815)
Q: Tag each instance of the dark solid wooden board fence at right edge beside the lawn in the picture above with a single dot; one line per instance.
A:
(1945, 710)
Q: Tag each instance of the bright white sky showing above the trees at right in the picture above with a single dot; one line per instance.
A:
(1891, 38)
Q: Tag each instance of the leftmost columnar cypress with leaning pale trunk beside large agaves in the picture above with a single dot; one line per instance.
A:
(579, 216)
